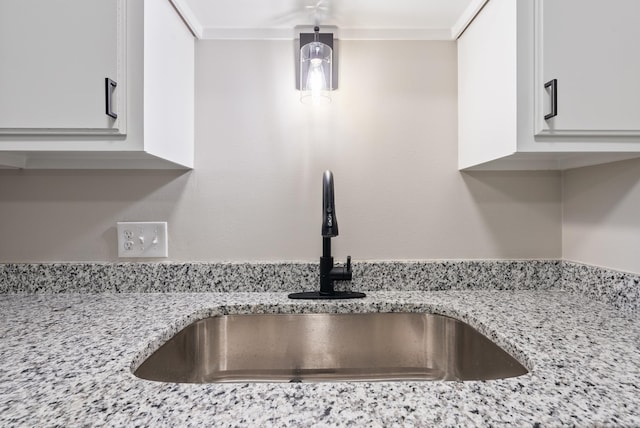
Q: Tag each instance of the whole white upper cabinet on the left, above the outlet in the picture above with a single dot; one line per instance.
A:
(95, 84)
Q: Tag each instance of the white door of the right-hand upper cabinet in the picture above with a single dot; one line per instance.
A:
(592, 49)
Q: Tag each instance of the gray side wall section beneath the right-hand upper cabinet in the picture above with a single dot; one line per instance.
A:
(601, 215)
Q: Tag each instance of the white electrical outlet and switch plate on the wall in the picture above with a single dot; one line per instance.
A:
(142, 239)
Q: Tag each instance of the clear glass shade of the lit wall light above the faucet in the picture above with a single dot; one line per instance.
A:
(315, 73)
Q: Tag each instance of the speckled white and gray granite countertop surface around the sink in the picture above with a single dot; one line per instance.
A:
(67, 359)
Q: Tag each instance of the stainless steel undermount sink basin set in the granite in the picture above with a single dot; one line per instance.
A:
(328, 347)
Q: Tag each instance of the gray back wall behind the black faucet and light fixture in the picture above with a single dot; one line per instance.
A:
(389, 136)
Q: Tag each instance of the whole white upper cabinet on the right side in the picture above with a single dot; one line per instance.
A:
(516, 54)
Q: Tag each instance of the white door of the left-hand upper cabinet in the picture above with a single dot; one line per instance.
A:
(54, 58)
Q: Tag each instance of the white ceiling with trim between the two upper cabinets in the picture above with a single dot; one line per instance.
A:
(351, 19)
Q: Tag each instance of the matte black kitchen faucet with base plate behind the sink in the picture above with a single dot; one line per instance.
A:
(329, 272)
